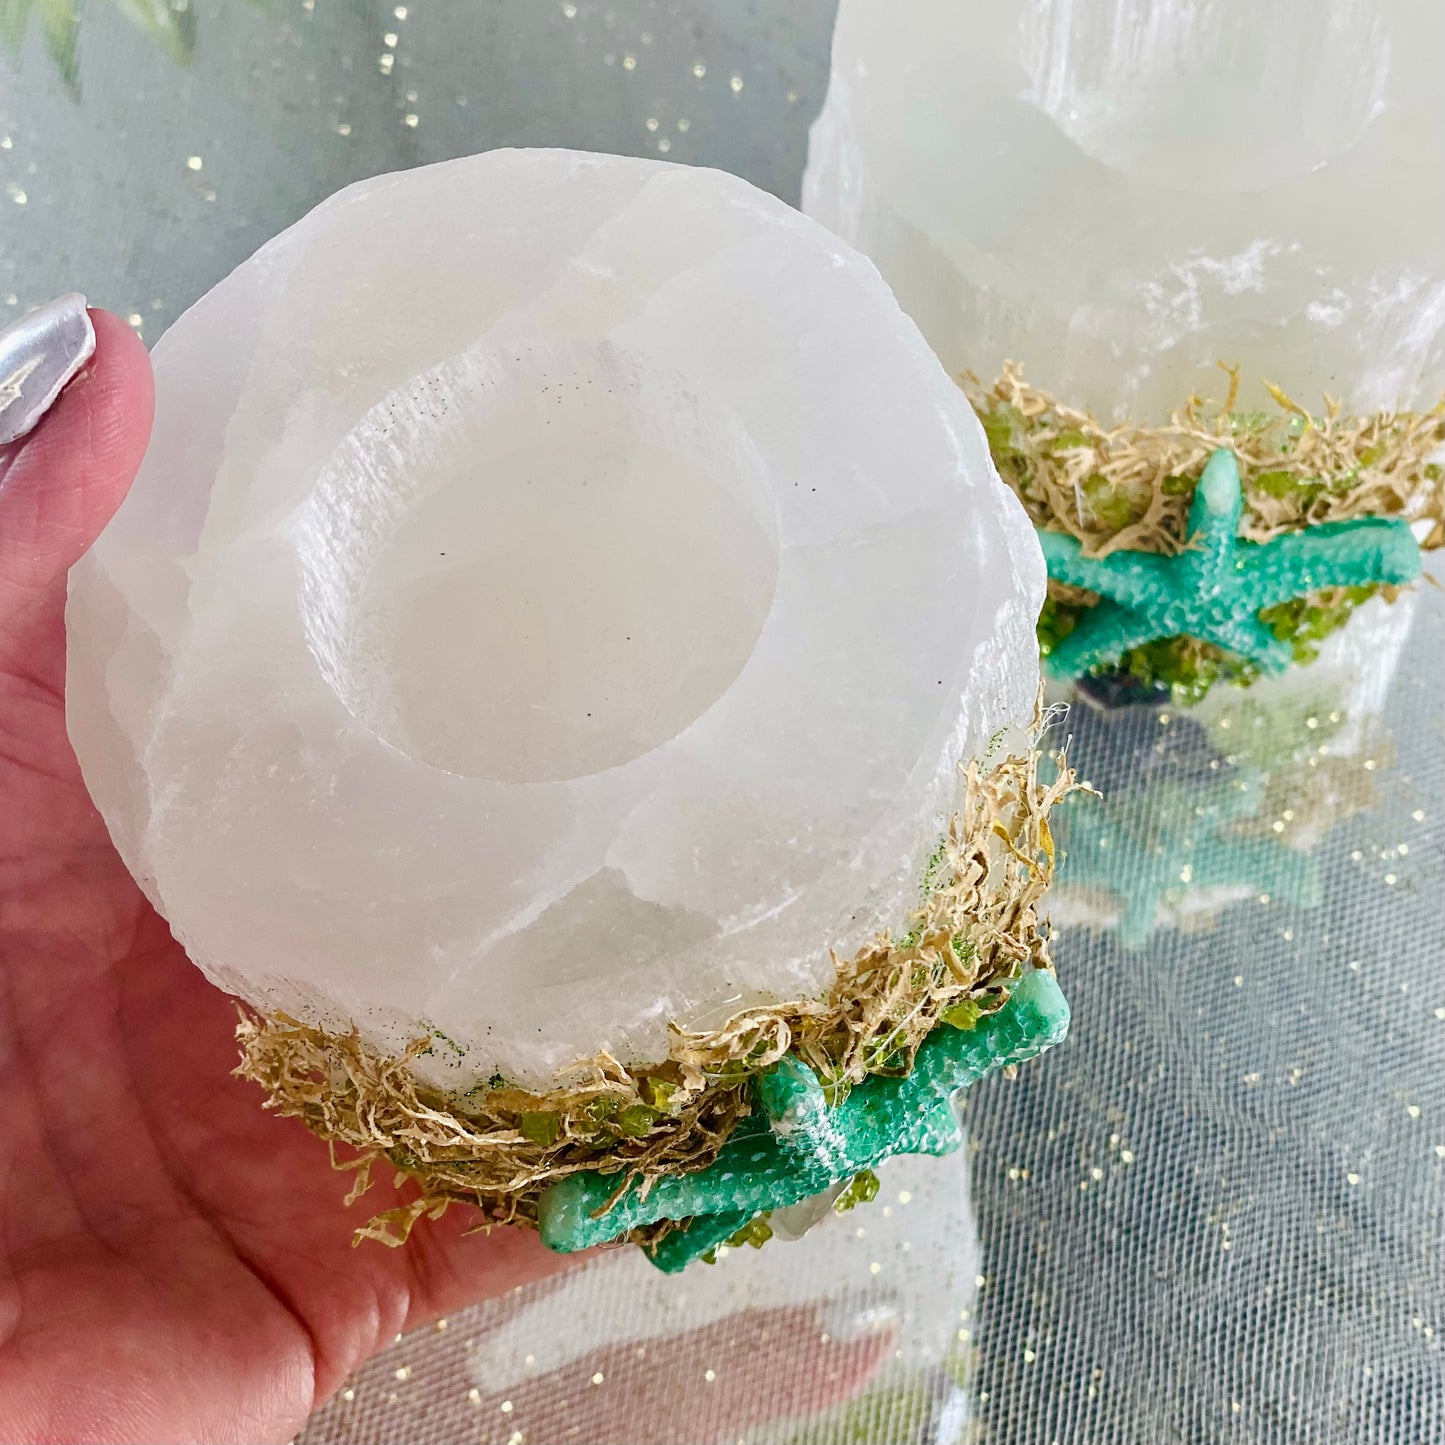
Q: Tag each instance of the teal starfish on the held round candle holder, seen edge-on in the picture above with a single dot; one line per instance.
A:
(797, 1144)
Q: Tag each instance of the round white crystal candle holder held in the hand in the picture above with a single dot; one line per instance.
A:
(556, 602)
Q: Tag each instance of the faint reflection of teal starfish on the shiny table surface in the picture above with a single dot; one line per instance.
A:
(1142, 850)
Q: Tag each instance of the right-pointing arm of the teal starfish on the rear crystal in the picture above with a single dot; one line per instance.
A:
(1333, 554)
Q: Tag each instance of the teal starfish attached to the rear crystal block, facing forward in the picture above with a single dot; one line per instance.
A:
(1216, 589)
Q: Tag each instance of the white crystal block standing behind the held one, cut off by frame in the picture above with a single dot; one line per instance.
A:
(1123, 193)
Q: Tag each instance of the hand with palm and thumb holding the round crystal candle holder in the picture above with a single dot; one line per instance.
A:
(176, 1264)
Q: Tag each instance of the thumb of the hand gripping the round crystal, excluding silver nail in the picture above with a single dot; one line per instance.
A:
(61, 485)
